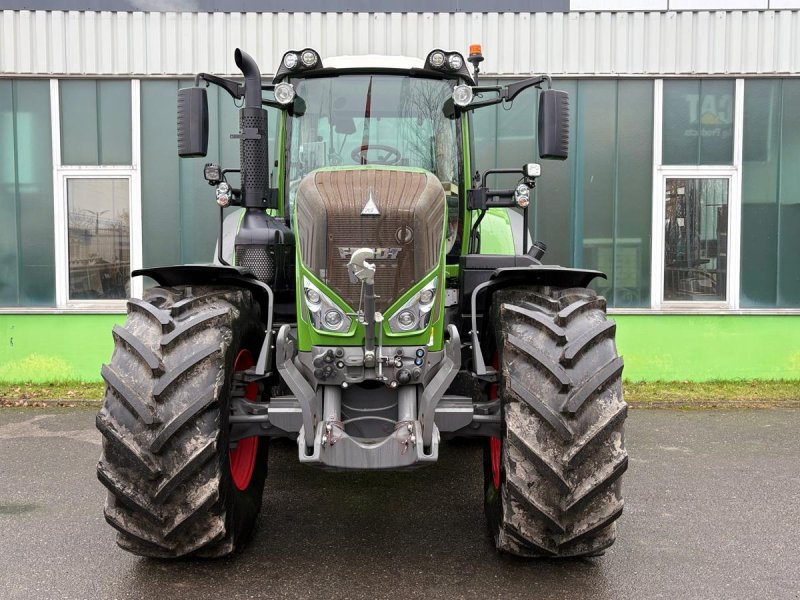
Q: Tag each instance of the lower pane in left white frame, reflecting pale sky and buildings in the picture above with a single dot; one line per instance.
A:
(99, 238)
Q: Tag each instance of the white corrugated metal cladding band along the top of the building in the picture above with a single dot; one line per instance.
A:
(576, 43)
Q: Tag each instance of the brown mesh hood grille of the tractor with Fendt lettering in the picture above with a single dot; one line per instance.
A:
(398, 212)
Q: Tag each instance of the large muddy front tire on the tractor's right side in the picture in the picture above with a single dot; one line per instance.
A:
(552, 484)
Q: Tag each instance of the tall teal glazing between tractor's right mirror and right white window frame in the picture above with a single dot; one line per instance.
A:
(615, 141)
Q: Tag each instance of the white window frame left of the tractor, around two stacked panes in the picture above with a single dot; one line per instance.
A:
(61, 173)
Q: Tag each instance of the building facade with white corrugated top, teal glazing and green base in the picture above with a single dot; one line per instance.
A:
(683, 182)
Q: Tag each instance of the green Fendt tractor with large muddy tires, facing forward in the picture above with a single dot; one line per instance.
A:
(370, 296)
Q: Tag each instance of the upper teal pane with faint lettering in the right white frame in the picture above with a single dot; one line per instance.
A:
(698, 122)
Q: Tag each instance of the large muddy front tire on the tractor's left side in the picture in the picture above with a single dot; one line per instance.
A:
(173, 486)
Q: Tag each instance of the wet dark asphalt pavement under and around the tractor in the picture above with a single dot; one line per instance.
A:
(712, 511)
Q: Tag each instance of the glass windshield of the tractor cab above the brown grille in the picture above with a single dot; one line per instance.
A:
(372, 120)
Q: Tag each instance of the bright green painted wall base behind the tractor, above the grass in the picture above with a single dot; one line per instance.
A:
(50, 348)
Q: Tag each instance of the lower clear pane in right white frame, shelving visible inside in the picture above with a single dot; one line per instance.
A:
(696, 239)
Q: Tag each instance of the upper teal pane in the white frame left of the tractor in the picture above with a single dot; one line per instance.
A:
(95, 122)
